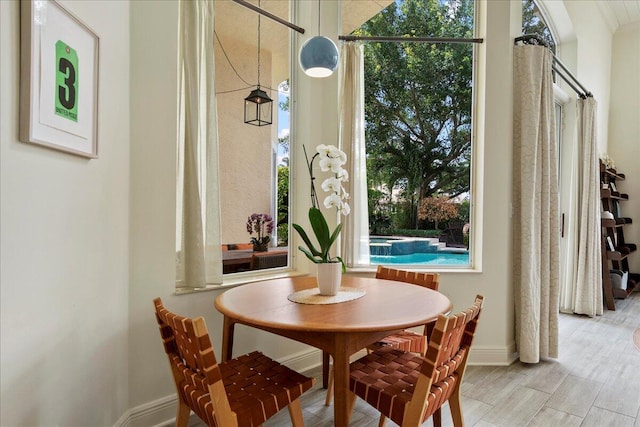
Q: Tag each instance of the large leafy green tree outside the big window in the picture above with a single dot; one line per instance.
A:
(418, 99)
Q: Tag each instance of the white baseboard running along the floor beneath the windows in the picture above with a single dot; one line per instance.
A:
(161, 412)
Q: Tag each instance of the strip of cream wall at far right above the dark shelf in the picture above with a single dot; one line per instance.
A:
(624, 131)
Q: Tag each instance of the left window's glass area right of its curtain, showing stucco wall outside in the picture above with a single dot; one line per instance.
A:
(253, 165)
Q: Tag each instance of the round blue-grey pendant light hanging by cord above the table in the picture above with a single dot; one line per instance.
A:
(319, 55)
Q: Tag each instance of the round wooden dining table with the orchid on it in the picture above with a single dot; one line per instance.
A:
(339, 329)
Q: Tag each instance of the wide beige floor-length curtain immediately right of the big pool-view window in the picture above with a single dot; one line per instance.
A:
(535, 201)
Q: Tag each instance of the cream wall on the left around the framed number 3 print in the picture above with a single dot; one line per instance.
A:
(64, 266)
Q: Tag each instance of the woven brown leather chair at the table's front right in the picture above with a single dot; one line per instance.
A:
(408, 388)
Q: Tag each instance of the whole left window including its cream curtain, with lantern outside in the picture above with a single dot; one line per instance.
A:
(230, 173)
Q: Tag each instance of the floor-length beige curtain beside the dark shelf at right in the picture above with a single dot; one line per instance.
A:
(588, 287)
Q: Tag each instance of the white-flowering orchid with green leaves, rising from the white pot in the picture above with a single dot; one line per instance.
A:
(331, 159)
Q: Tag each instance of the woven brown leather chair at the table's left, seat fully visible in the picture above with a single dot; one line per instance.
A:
(245, 391)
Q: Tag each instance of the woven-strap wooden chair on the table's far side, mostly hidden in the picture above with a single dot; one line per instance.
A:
(406, 340)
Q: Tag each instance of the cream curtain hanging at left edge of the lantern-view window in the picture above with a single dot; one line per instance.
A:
(199, 254)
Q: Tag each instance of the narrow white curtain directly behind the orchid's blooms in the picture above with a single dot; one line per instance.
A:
(355, 234)
